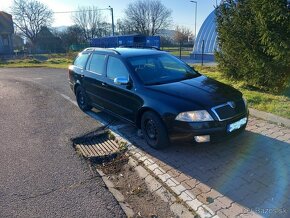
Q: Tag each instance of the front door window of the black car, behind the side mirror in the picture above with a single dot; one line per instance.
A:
(116, 68)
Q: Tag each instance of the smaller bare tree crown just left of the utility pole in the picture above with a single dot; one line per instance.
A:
(90, 20)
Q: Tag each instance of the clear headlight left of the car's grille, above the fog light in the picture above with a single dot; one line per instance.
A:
(194, 116)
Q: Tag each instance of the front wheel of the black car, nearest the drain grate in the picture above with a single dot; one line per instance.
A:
(154, 130)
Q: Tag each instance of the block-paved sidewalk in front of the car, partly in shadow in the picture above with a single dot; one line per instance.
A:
(246, 176)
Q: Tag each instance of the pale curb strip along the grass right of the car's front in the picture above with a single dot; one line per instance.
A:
(270, 117)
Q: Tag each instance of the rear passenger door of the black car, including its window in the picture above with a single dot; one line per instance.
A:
(93, 78)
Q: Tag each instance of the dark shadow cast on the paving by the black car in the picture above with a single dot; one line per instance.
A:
(251, 169)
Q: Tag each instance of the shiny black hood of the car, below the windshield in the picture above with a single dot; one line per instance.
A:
(201, 90)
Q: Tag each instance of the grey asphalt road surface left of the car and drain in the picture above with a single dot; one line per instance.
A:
(40, 174)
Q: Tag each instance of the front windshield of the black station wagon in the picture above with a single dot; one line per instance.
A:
(160, 69)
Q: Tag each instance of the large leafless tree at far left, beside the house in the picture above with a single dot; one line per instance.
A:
(29, 16)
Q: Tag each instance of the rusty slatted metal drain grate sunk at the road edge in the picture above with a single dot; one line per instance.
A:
(98, 146)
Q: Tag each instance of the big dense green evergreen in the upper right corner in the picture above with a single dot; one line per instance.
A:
(254, 42)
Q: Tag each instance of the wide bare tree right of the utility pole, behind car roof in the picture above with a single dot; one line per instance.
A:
(148, 16)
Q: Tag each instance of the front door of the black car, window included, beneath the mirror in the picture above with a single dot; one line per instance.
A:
(120, 99)
